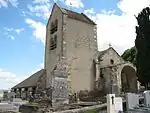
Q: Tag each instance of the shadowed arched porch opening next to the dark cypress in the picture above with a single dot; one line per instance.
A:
(128, 79)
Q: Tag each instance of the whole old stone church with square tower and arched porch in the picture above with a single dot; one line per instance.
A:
(73, 62)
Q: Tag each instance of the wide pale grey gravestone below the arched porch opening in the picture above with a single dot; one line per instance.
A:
(132, 100)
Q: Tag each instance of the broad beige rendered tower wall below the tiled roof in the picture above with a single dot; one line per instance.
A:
(80, 38)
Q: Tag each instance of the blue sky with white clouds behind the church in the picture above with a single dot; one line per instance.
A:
(22, 31)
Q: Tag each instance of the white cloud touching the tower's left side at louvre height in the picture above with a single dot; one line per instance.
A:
(39, 29)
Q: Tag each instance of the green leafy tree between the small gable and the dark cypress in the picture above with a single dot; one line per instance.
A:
(130, 55)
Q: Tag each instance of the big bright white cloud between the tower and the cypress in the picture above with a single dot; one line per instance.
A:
(119, 30)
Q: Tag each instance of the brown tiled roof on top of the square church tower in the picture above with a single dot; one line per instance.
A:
(78, 16)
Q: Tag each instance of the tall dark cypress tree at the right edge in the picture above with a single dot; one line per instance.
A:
(142, 44)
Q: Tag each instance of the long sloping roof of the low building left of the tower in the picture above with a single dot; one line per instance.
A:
(31, 81)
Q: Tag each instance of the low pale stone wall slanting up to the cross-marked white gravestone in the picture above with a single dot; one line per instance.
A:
(98, 108)
